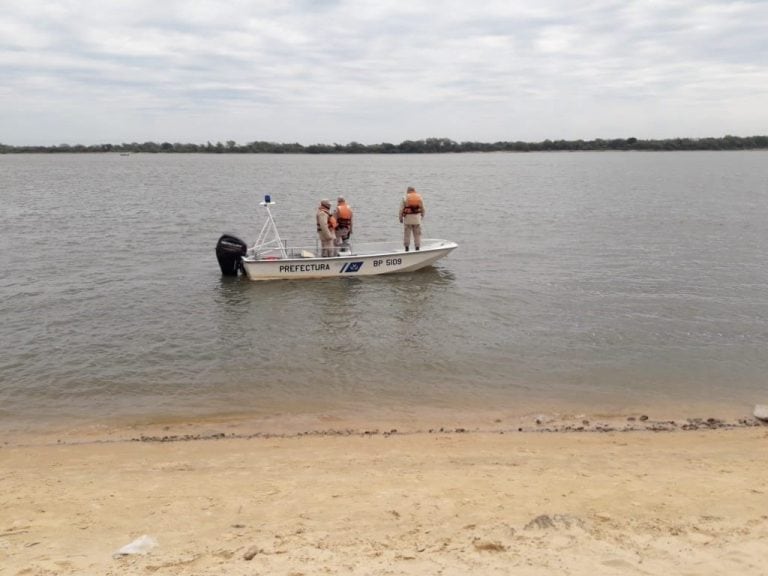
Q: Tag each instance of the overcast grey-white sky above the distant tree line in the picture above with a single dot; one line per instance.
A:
(327, 71)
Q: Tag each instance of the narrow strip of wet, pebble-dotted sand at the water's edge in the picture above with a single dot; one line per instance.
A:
(241, 427)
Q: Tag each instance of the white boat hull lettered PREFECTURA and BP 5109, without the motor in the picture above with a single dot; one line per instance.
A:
(354, 264)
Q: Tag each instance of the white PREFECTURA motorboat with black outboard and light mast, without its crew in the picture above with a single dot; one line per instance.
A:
(271, 258)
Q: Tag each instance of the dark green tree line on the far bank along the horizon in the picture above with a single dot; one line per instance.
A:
(428, 146)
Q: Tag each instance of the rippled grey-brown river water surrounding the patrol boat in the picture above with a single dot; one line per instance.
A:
(599, 282)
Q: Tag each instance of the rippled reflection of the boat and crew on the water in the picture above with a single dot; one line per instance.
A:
(308, 321)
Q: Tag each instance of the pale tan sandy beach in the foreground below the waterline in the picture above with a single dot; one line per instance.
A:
(634, 501)
